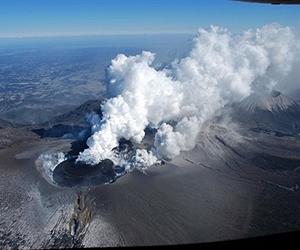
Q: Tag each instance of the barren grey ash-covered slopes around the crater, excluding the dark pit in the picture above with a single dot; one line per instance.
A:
(236, 183)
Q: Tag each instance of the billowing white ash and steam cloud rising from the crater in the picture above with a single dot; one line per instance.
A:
(221, 68)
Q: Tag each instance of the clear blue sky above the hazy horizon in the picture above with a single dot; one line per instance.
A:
(87, 17)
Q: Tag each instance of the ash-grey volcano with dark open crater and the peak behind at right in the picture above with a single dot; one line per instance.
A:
(224, 177)
